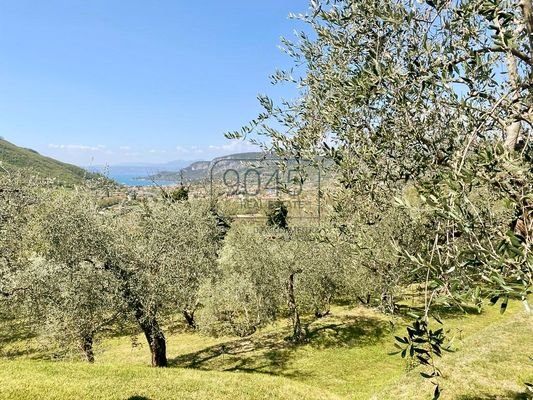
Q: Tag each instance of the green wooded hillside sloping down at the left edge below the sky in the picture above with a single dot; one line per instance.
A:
(13, 158)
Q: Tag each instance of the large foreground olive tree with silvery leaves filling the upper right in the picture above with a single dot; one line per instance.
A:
(406, 93)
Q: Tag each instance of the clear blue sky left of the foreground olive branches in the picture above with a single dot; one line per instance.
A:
(113, 81)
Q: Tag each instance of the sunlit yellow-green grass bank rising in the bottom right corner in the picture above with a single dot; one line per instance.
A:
(492, 361)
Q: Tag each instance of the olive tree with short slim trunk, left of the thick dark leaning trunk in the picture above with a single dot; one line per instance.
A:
(72, 297)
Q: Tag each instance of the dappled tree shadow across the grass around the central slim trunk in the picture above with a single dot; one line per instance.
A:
(271, 353)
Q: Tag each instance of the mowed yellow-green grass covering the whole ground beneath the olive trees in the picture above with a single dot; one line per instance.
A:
(346, 358)
